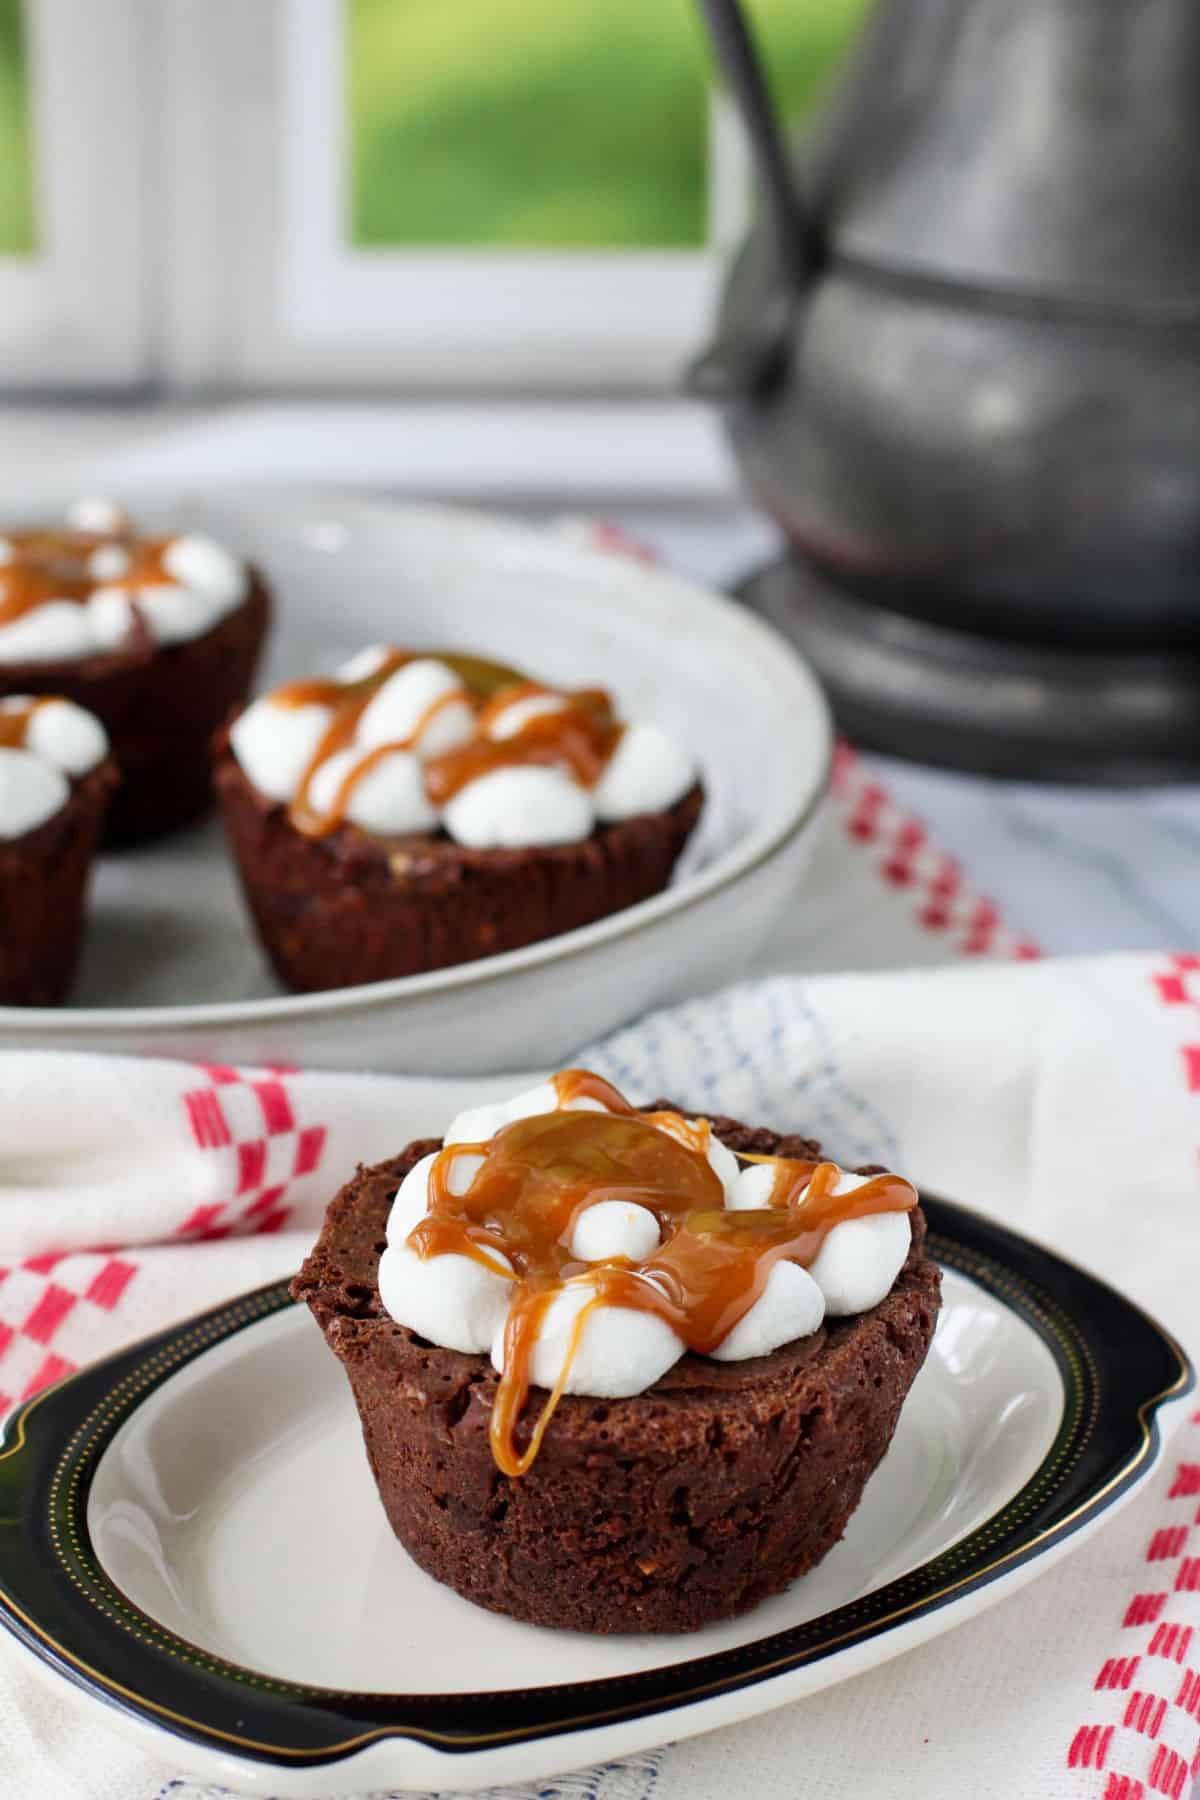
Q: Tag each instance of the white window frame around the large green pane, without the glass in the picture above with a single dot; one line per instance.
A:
(264, 291)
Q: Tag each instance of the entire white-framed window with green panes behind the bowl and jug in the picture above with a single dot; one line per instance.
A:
(377, 195)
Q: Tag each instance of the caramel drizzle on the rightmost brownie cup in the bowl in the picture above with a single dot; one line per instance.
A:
(580, 735)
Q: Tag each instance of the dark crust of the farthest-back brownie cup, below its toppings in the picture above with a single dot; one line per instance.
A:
(161, 706)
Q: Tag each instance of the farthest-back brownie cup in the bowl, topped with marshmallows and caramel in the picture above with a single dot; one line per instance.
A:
(159, 638)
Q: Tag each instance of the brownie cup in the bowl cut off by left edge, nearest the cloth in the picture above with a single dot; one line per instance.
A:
(57, 780)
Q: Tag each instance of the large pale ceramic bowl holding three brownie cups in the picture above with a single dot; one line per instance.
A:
(172, 966)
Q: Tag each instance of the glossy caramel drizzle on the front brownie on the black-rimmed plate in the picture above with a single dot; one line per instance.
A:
(712, 1263)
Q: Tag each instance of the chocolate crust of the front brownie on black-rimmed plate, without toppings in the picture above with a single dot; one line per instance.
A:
(663, 1513)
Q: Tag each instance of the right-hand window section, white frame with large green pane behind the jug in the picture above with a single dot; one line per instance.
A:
(494, 193)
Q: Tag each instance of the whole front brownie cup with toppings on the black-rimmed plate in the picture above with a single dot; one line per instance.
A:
(667, 1509)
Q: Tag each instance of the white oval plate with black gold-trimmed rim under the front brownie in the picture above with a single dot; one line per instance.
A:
(190, 1534)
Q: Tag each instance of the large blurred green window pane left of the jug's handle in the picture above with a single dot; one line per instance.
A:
(528, 123)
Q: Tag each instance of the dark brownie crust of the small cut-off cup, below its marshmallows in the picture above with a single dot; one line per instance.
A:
(44, 883)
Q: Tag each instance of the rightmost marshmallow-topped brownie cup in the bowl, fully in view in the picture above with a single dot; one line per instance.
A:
(424, 811)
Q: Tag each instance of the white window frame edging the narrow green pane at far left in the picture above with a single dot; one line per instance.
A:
(73, 312)
